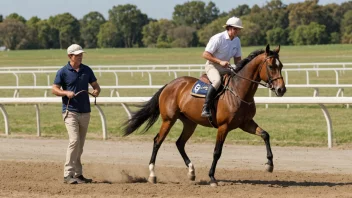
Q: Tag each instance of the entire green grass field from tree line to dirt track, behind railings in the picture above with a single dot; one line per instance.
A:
(299, 125)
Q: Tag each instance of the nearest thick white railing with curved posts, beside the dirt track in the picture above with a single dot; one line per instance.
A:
(122, 100)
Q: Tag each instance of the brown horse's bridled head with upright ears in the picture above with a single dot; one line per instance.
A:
(270, 71)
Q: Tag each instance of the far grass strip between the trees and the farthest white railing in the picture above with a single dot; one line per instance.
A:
(145, 56)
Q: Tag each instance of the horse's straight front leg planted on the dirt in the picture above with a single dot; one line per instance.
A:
(220, 139)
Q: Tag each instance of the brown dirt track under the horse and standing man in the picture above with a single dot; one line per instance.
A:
(33, 168)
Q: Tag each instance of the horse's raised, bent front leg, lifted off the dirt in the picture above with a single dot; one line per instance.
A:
(253, 128)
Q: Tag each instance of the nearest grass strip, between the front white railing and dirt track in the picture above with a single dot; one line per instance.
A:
(299, 125)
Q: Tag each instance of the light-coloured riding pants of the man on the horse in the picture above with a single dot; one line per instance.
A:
(214, 72)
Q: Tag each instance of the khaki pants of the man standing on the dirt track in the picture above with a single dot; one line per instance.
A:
(77, 126)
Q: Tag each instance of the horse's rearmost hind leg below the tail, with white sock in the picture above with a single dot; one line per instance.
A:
(158, 140)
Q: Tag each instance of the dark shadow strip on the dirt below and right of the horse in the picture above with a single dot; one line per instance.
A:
(279, 183)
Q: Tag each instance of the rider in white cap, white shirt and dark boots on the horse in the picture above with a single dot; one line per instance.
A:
(218, 52)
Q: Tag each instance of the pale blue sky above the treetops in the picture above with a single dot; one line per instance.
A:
(155, 9)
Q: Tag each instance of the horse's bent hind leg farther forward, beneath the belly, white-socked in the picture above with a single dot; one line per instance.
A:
(188, 130)
